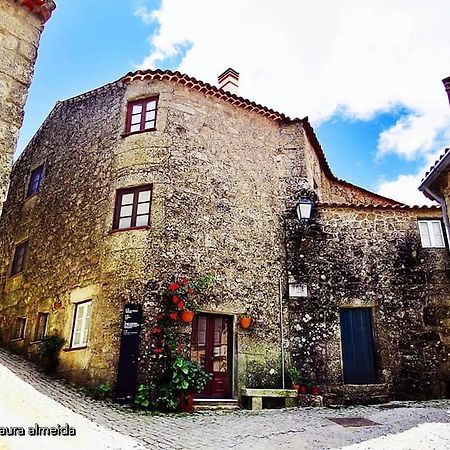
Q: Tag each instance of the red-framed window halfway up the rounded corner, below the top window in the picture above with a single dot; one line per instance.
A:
(132, 208)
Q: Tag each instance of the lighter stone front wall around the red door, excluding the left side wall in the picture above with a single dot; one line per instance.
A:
(218, 174)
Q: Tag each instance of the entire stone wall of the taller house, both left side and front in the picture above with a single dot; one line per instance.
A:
(220, 179)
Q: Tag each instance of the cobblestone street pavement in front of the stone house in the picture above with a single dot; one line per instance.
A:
(27, 396)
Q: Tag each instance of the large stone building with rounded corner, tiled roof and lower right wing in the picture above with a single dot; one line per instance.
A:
(159, 175)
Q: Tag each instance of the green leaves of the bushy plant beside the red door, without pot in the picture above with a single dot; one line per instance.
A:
(188, 376)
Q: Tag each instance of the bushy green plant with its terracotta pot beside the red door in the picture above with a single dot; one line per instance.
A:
(188, 377)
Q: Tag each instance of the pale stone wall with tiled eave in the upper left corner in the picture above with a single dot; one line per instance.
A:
(21, 25)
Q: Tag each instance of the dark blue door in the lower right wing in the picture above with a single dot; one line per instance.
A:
(358, 347)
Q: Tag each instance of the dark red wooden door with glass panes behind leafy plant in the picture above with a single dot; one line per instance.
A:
(211, 347)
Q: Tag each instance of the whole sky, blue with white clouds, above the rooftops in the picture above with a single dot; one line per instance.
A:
(375, 99)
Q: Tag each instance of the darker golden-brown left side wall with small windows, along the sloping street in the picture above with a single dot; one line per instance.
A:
(65, 227)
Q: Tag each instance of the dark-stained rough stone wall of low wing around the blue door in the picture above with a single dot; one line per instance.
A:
(371, 257)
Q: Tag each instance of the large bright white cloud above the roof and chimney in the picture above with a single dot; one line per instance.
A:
(302, 57)
